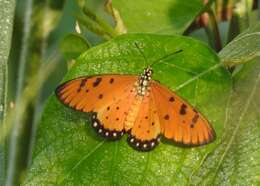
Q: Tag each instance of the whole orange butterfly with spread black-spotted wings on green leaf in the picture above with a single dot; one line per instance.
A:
(138, 105)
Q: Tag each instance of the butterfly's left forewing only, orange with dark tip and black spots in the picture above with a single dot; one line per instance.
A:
(89, 94)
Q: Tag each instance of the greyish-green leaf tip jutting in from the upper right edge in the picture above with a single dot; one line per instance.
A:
(243, 48)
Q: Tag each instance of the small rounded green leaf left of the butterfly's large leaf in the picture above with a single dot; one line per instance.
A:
(73, 45)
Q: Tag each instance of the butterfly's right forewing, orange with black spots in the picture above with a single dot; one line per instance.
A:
(179, 120)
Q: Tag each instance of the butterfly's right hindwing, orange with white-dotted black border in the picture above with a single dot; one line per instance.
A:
(144, 135)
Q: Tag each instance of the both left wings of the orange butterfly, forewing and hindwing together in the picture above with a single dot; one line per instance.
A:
(108, 97)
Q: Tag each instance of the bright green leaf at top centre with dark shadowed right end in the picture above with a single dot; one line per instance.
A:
(163, 16)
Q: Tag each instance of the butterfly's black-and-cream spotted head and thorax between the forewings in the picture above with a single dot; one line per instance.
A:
(143, 81)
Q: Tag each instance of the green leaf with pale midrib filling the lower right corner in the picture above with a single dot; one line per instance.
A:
(236, 161)
